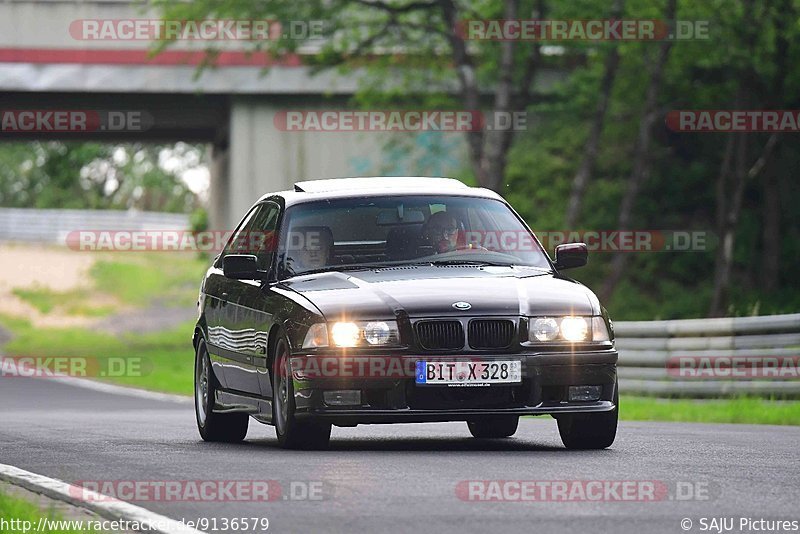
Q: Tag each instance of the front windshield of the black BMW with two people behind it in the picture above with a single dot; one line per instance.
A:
(366, 232)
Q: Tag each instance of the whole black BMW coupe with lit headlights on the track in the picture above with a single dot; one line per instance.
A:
(389, 300)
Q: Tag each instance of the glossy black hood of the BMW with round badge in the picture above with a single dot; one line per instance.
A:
(423, 291)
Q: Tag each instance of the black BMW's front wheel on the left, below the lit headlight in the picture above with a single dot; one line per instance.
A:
(292, 433)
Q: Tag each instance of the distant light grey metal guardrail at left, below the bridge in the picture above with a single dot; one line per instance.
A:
(53, 226)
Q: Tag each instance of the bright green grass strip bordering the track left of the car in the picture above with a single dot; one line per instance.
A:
(161, 361)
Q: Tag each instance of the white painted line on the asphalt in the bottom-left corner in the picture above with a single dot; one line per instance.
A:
(101, 505)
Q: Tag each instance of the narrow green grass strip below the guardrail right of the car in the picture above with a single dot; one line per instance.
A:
(737, 410)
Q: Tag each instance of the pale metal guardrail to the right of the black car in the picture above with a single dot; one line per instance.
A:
(652, 354)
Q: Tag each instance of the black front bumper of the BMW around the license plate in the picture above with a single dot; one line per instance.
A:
(394, 397)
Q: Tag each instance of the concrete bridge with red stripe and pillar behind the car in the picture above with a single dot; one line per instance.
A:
(48, 63)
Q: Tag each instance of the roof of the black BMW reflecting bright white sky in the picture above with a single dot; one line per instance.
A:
(311, 190)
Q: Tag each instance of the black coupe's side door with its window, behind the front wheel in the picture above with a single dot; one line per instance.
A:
(250, 310)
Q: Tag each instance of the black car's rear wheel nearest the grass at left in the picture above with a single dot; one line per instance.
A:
(224, 427)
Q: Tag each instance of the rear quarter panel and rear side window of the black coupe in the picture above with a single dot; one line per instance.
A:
(224, 339)
